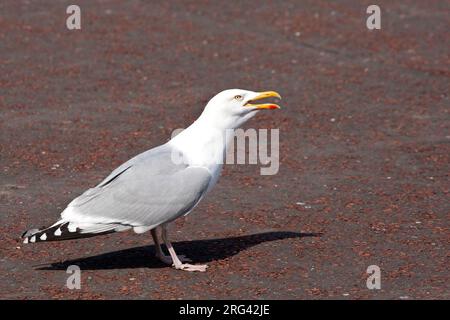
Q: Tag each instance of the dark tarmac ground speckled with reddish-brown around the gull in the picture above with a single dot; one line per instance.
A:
(364, 137)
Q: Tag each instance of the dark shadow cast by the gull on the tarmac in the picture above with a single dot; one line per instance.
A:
(200, 251)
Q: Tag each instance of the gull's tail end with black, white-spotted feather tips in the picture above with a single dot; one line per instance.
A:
(62, 230)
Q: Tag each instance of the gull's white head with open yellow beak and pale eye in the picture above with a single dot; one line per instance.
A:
(231, 108)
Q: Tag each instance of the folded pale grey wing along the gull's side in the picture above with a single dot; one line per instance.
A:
(146, 192)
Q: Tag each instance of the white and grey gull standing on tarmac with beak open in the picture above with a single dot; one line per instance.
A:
(154, 188)
